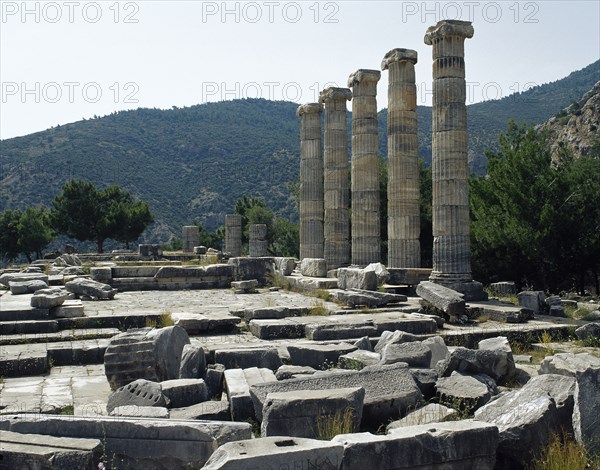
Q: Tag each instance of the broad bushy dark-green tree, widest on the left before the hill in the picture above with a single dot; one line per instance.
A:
(84, 212)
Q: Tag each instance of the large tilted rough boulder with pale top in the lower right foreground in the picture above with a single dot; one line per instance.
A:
(528, 417)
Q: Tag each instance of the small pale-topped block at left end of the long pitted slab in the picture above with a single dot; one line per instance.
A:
(238, 383)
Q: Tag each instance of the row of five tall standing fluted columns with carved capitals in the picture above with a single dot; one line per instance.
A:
(324, 209)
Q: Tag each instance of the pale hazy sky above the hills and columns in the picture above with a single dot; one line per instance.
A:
(67, 60)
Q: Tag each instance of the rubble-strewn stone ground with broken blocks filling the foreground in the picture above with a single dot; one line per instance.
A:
(218, 378)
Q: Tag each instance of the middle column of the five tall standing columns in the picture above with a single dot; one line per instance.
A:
(365, 168)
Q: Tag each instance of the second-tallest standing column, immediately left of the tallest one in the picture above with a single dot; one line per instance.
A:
(404, 223)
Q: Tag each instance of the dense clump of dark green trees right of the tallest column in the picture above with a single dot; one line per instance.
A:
(535, 220)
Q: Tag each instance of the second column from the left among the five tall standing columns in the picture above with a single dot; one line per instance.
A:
(336, 182)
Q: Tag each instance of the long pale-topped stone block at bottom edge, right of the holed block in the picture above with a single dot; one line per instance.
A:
(454, 445)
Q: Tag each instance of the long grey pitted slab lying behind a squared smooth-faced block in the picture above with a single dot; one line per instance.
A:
(390, 391)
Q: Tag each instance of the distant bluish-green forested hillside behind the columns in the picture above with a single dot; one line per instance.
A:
(192, 163)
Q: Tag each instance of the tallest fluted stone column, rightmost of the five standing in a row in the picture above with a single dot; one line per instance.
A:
(451, 230)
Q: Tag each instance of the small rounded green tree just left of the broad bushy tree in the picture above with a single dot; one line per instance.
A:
(35, 231)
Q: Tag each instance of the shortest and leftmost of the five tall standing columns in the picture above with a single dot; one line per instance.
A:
(311, 181)
